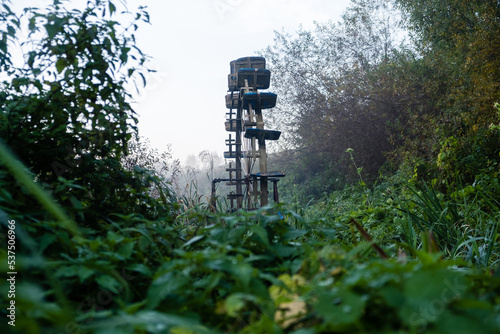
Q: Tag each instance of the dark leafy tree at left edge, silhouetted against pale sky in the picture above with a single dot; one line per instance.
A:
(65, 106)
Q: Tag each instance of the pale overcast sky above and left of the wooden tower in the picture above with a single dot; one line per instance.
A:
(192, 42)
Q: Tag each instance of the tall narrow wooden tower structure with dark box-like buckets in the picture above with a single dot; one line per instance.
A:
(246, 101)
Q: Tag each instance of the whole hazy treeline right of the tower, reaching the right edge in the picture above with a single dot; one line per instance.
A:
(410, 86)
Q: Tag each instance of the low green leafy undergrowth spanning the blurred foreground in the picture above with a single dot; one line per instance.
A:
(269, 270)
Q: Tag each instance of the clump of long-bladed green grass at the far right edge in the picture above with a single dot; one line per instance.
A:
(463, 228)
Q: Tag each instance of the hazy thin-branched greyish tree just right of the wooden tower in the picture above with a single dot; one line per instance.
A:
(332, 94)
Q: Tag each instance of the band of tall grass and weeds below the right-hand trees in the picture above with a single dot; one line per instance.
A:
(462, 225)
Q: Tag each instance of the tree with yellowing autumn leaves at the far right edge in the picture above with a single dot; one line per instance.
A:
(458, 42)
